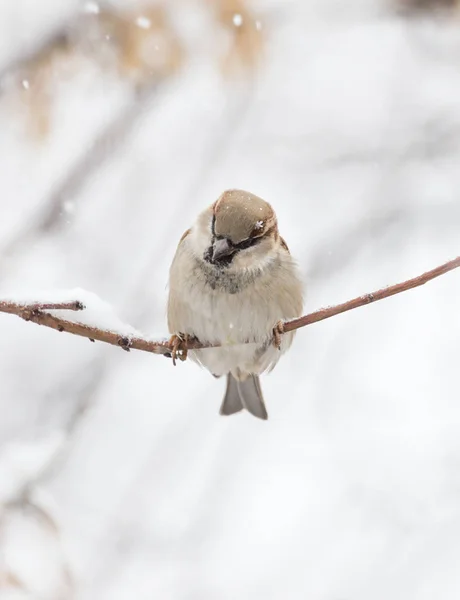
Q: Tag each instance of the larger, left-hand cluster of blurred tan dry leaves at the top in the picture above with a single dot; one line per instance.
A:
(140, 45)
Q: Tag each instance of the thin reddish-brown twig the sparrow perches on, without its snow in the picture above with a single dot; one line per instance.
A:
(37, 313)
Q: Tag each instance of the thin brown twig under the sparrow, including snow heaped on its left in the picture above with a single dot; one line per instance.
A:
(112, 331)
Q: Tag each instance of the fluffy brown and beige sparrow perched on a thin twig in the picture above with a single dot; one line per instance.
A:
(233, 283)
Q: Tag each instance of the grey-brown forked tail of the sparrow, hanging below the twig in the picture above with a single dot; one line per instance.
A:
(244, 394)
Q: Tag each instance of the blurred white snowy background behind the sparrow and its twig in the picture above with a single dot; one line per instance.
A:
(119, 122)
